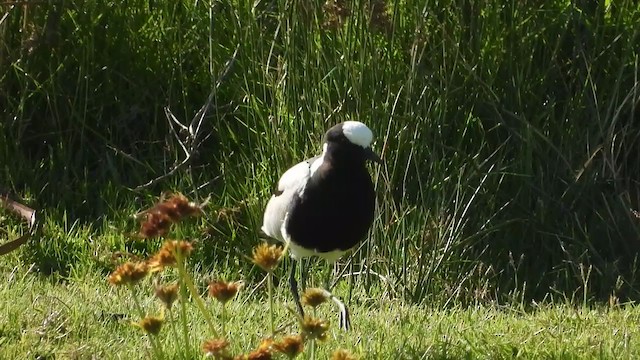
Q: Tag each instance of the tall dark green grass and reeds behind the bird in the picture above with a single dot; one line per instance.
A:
(510, 132)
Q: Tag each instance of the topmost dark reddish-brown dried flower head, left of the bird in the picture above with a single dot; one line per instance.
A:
(159, 218)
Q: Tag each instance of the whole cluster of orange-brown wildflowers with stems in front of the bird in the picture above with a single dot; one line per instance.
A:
(172, 255)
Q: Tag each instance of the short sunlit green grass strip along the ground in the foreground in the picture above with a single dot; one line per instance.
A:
(76, 318)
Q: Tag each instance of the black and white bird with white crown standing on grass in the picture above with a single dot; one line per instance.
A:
(324, 206)
